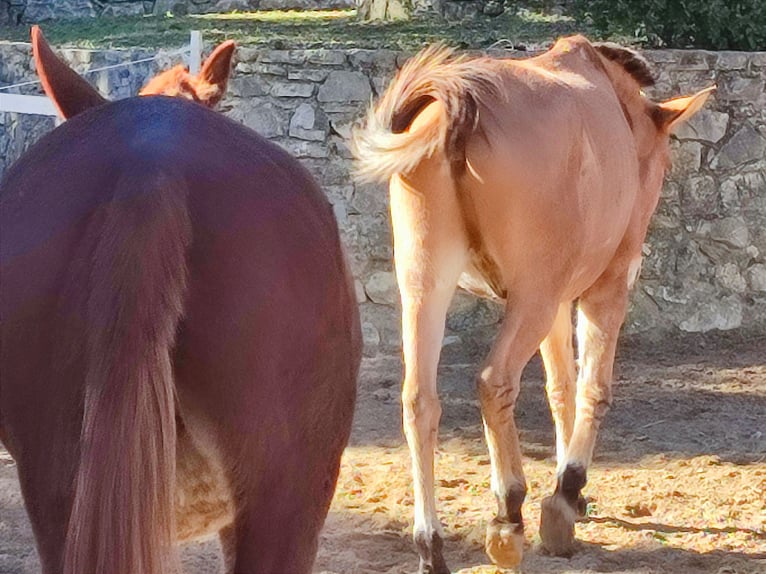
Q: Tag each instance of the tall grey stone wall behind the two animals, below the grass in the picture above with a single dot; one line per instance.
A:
(704, 262)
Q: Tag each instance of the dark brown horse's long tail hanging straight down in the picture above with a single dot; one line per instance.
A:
(122, 519)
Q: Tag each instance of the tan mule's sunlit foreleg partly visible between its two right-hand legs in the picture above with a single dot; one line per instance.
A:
(560, 377)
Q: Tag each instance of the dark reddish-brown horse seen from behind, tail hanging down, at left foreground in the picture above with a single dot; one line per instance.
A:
(179, 340)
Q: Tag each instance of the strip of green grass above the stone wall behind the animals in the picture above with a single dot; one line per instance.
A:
(310, 29)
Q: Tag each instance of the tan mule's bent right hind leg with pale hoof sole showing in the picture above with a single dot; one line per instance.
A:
(498, 386)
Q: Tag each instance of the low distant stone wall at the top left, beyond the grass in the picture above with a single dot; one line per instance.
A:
(32, 11)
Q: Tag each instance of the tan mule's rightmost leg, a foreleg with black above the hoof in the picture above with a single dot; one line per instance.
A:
(600, 315)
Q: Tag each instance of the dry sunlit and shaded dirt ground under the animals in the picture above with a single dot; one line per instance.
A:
(678, 484)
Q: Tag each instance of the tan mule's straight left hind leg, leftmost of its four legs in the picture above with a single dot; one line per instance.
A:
(431, 251)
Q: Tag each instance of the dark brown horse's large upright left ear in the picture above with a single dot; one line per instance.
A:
(71, 94)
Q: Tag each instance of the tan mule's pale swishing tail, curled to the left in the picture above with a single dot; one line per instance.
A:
(385, 145)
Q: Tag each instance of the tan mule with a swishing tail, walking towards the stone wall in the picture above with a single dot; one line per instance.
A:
(532, 181)
